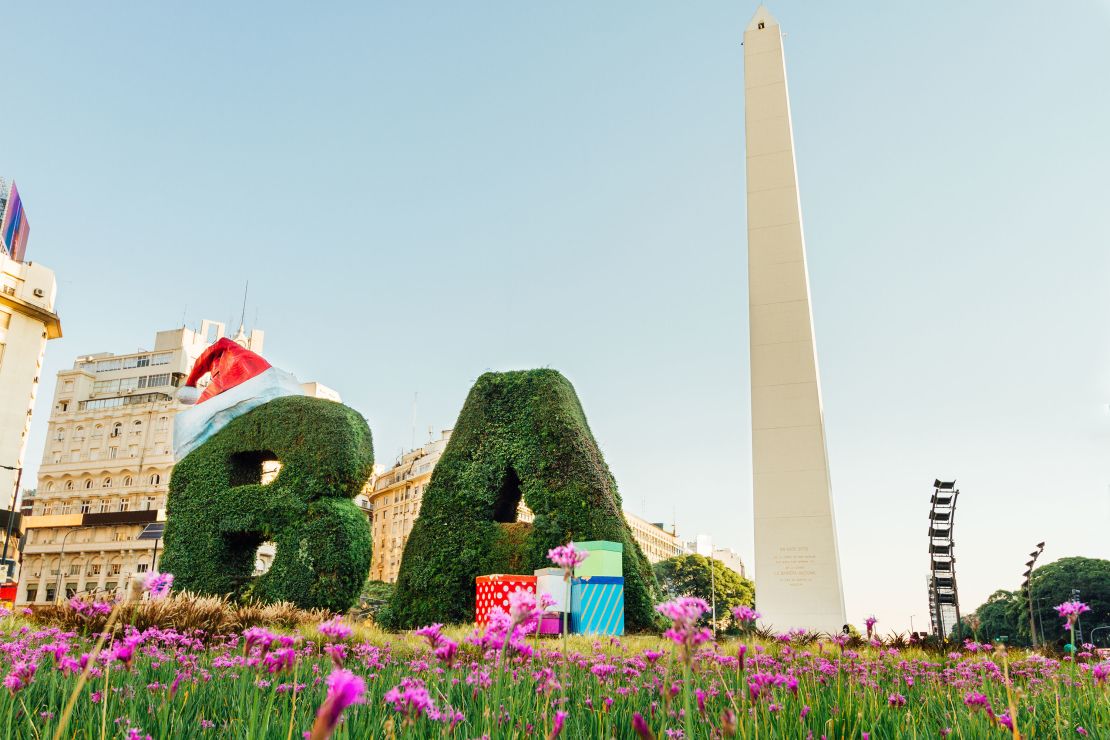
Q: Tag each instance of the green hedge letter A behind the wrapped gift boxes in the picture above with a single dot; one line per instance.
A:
(520, 435)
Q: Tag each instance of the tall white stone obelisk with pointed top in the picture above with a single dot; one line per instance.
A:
(798, 564)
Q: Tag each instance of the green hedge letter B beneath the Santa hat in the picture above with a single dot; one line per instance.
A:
(218, 513)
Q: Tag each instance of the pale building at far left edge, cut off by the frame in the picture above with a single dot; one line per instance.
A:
(27, 322)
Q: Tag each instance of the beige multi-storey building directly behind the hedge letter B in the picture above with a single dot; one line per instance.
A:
(107, 464)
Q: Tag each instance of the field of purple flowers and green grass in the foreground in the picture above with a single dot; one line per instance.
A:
(329, 678)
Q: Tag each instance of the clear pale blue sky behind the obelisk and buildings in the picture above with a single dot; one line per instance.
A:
(422, 192)
